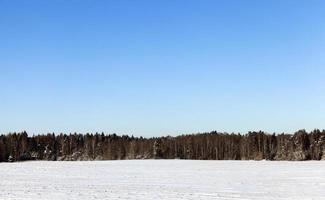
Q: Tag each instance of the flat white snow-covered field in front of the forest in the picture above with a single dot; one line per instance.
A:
(163, 179)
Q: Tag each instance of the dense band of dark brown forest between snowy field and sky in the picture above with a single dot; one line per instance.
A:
(203, 146)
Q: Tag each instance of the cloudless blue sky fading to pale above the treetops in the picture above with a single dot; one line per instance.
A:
(154, 68)
